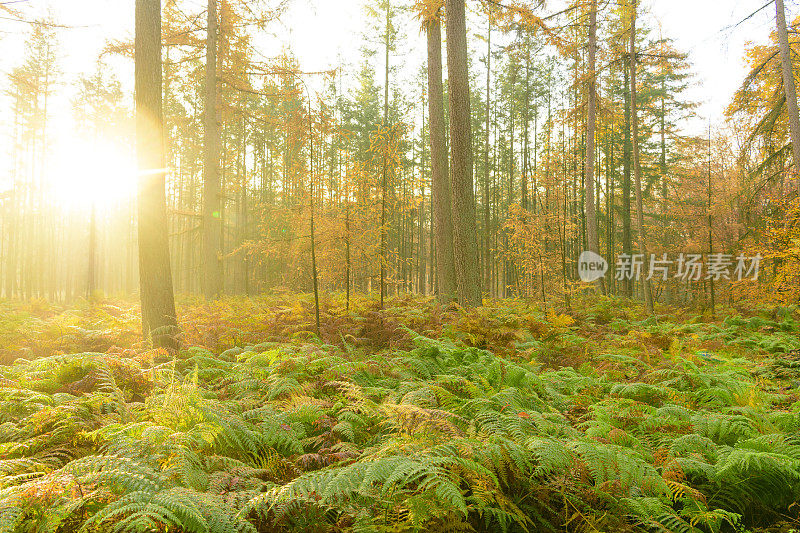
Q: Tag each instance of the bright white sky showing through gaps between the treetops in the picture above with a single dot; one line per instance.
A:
(323, 32)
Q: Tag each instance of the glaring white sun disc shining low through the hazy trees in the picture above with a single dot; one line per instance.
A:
(84, 172)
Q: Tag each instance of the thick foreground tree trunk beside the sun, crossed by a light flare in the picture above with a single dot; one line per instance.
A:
(155, 275)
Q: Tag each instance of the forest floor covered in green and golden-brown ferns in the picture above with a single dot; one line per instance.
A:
(414, 417)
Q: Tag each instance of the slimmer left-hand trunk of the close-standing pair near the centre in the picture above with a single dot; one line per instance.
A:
(442, 211)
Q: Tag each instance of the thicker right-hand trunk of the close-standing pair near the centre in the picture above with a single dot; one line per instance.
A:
(465, 235)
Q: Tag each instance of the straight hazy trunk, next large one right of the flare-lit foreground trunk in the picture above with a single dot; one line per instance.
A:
(212, 214)
